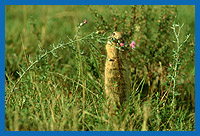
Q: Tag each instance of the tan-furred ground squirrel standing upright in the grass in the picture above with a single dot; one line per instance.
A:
(116, 72)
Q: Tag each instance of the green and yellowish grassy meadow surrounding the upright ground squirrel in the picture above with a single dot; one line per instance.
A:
(63, 90)
